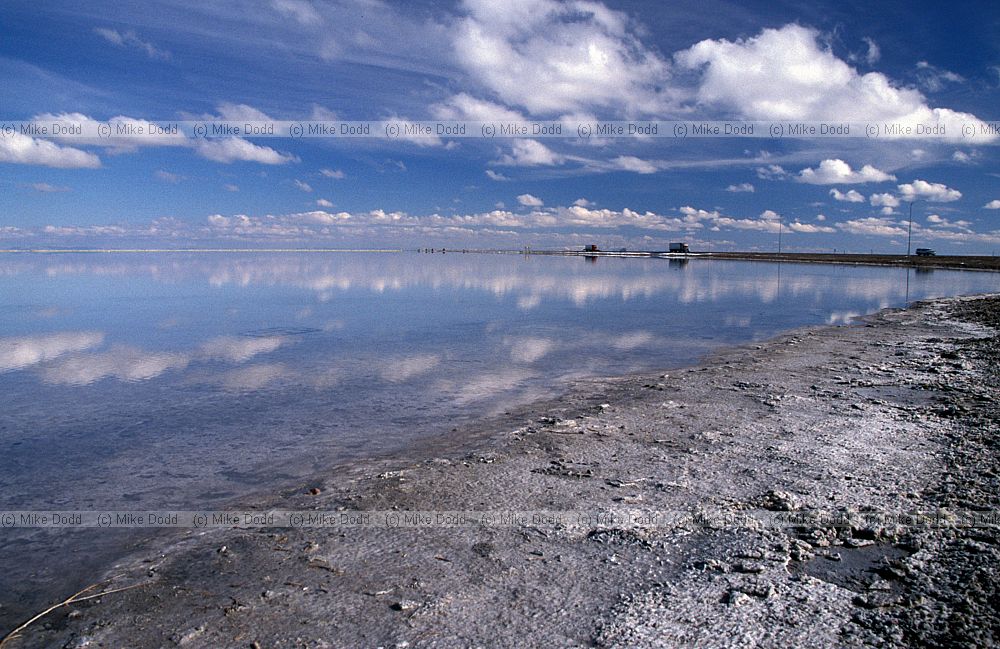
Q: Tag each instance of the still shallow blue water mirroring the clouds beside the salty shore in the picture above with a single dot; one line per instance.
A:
(183, 380)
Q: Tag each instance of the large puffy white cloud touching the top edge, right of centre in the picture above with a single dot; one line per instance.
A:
(558, 57)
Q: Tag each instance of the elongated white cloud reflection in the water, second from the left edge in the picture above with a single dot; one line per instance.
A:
(121, 362)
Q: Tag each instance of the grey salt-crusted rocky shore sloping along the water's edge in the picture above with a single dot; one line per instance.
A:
(897, 414)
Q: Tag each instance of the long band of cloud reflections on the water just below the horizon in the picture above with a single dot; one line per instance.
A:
(528, 283)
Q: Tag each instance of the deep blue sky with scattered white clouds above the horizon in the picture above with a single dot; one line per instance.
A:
(910, 62)
